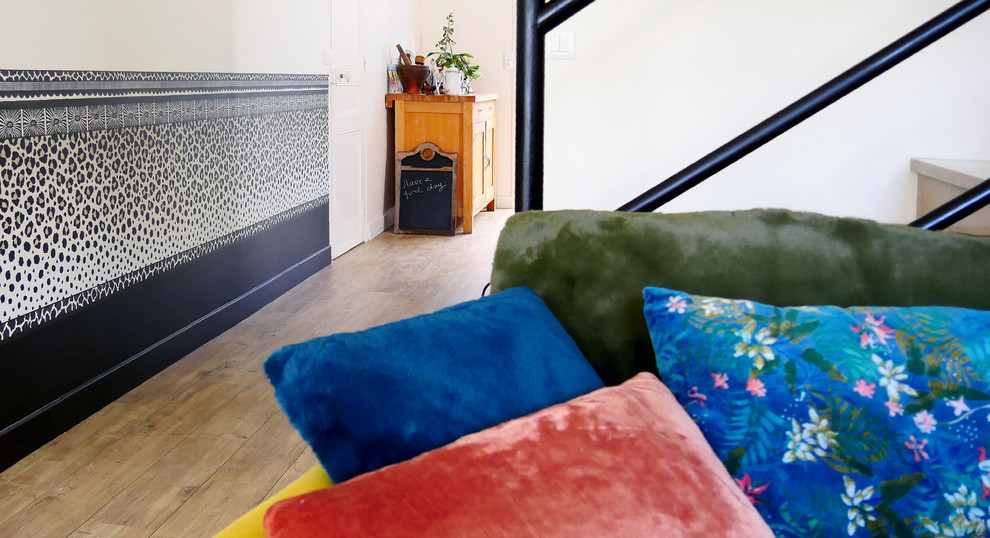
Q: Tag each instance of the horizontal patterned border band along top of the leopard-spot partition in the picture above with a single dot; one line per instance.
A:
(43, 103)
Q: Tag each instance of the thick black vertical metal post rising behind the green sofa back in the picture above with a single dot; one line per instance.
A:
(529, 106)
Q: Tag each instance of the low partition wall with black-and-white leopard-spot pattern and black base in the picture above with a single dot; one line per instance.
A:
(141, 215)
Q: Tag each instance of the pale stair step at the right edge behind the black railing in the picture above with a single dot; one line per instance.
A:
(940, 180)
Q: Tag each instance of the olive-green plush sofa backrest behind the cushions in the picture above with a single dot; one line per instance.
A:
(590, 268)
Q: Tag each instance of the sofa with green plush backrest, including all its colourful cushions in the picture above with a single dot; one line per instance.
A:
(812, 353)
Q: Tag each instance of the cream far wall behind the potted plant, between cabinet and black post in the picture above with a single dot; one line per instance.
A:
(488, 31)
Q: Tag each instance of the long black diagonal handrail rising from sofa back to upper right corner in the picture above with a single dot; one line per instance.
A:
(808, 105)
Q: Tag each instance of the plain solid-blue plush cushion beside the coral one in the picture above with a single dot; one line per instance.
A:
(372, 398)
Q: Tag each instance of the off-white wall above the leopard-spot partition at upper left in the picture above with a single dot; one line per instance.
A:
(252, 36)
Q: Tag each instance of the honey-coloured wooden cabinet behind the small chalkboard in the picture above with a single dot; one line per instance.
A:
(461, 124)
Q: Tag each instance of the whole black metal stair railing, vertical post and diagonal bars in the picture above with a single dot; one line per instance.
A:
(536, 18)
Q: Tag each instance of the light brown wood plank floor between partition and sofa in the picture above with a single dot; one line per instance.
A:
(199, 444)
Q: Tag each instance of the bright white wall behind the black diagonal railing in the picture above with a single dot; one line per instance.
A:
(658, 84)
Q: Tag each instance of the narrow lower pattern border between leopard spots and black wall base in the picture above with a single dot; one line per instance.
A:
(41, 316)
